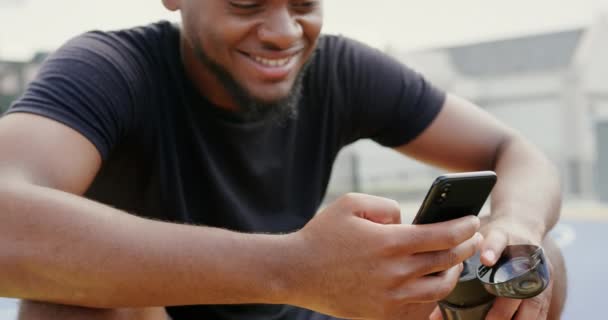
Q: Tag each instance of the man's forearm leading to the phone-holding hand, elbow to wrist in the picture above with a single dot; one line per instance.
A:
(57, 247)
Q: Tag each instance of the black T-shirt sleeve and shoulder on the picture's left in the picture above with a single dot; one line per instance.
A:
(99, 82)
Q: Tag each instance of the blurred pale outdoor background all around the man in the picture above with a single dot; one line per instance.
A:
(541, 66)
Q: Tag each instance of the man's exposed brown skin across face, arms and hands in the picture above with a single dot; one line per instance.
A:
(263, 44)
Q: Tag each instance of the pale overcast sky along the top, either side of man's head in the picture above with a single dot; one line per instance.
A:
(30, 25)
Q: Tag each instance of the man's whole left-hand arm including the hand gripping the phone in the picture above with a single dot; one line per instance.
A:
(59, 247)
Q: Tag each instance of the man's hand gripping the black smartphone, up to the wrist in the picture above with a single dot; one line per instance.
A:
(355, 259)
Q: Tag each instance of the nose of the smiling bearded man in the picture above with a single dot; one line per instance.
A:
(280, 30)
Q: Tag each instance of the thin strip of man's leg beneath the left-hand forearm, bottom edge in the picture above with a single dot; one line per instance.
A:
(30, 310)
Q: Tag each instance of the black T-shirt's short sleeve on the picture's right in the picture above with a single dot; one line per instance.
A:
(389, 102)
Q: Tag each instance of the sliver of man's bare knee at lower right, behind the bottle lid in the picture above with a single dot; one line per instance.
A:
(559, 276)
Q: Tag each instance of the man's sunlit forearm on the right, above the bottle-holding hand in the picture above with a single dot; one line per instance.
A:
(528, 187)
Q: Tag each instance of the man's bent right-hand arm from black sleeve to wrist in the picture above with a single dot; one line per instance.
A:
(464, 137)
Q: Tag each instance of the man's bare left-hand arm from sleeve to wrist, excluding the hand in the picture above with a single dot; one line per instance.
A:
(59, 247)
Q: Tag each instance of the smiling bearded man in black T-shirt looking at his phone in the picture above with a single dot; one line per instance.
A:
(159, 172)
